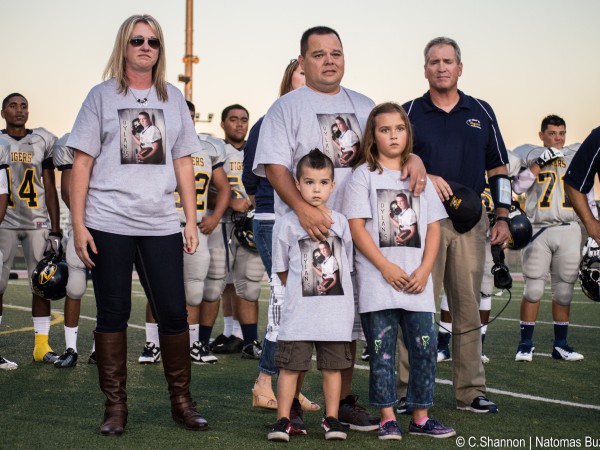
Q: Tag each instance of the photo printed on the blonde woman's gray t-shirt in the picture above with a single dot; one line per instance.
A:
(142, 131)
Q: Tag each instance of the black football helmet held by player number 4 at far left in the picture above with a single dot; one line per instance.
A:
(49, 278)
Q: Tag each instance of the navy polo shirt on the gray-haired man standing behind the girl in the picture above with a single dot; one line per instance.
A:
(461, 145)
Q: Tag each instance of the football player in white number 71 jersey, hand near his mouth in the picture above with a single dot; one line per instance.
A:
(556, 240)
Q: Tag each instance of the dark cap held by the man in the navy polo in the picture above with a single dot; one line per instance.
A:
(463, 208)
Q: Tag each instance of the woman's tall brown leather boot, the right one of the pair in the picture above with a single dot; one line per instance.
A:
(178, 372)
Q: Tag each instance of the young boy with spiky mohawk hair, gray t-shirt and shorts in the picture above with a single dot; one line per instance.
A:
(319, 303)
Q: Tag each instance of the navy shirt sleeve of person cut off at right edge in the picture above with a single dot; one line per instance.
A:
(585, 164)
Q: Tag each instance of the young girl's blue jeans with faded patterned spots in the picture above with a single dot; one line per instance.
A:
(420, 338)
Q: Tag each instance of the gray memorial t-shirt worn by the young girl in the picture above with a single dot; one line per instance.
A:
(383, 199)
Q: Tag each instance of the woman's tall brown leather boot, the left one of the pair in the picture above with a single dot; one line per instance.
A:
(111, 357)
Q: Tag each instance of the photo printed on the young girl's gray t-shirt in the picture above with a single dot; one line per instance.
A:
(398, 218)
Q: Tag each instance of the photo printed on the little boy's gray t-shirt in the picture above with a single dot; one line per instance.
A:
(321, 267)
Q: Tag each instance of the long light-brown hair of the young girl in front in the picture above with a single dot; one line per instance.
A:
(368, 151)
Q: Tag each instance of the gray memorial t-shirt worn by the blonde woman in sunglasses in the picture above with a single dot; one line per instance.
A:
(128, 195)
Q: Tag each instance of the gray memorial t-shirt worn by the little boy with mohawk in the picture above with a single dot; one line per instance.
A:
(319, 300)
